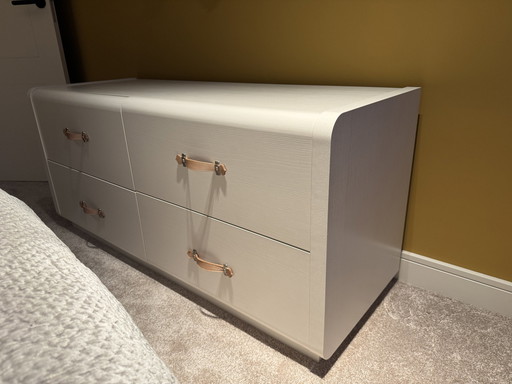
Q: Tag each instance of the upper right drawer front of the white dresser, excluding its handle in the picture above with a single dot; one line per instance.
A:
(267, 187)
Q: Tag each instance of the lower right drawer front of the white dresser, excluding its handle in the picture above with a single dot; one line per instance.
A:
(270, 281)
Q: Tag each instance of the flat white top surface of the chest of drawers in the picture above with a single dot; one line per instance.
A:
(303, 98)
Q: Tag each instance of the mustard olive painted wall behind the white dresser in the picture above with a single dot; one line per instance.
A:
(459, 51)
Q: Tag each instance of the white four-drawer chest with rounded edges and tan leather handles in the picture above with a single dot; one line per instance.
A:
(308, 217)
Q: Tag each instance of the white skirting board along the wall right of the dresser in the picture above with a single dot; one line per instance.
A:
(458, 283)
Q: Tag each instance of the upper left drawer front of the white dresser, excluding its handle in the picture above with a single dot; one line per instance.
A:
(104, 154)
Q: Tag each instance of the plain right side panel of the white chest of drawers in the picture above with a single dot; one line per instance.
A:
(371, 158)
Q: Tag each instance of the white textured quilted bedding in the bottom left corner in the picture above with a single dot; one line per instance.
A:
(58, 322)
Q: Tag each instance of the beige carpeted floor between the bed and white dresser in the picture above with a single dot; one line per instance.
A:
(411, 336)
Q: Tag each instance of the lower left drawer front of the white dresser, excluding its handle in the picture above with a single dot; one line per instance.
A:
(120, 226)
